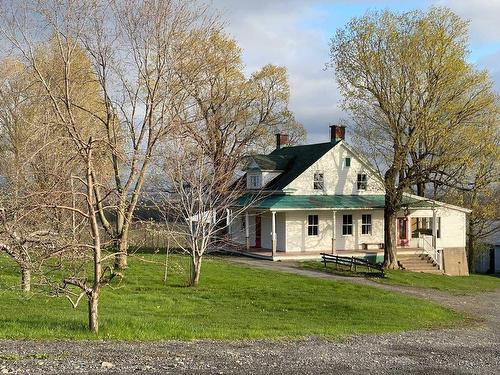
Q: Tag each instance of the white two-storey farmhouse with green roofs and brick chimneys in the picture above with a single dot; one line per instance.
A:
(327, 198)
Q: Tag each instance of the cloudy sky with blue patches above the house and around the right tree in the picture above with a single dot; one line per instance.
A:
(296, 34)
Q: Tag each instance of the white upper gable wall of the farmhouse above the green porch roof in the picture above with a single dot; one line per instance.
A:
(338, 178)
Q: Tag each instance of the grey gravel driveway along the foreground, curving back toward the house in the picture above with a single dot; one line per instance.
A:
(473, 350)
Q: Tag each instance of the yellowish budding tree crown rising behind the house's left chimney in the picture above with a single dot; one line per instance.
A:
(229, 114)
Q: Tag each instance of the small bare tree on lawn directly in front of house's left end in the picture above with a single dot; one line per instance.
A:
(198, 190)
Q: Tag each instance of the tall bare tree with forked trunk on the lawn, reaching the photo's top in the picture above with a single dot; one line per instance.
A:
(135, 47)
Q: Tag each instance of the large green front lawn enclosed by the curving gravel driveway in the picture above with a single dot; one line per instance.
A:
(232, 302)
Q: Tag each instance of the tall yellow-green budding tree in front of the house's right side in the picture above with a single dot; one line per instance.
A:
(412, 94)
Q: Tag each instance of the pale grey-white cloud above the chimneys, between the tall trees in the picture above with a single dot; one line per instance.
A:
(285, 33)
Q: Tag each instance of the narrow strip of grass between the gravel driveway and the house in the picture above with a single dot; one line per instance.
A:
(452, 284)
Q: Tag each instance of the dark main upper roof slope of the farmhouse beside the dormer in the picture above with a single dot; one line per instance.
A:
(295, 160)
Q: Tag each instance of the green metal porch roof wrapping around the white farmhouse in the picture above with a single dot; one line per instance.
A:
(299, 202)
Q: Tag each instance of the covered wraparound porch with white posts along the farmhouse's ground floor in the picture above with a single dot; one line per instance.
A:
(301, 227)
